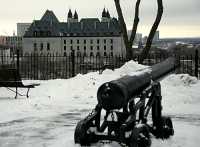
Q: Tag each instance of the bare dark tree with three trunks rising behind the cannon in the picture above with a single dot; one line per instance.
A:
(129, 42)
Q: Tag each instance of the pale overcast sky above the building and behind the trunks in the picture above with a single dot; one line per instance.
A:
(181, 18)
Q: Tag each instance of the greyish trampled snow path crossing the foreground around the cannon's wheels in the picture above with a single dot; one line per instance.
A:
(58, 131)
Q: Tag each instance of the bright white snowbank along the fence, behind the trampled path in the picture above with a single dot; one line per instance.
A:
(180, 94)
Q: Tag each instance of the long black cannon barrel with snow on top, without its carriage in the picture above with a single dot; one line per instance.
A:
(115, 94)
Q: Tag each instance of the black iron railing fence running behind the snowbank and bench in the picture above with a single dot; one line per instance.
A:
(54, 66)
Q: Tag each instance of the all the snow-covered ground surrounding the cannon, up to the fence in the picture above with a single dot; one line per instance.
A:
(49, 116)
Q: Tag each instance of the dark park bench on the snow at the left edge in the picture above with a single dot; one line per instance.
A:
(10, 78)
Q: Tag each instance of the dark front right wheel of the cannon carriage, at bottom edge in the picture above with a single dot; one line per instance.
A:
(140, 137)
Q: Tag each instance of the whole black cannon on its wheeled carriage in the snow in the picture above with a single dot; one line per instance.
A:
(122, 111)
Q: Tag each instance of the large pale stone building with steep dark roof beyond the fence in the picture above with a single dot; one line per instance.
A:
(89, 36)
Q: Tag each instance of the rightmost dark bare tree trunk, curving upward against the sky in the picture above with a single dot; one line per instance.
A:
(152, 32)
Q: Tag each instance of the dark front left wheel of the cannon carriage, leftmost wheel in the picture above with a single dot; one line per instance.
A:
(80, 136)
